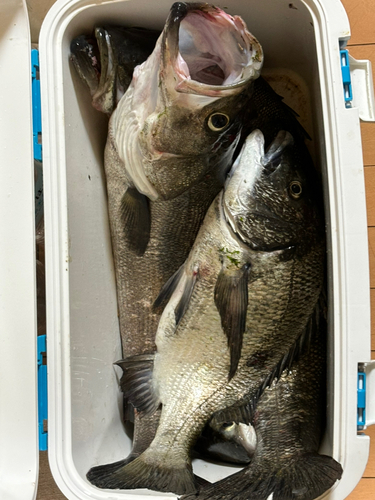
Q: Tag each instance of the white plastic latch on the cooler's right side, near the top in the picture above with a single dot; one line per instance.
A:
(363, 88)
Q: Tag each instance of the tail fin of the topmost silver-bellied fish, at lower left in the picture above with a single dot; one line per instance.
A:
(141, 473)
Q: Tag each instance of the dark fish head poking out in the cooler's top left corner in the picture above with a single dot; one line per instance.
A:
(106, 61)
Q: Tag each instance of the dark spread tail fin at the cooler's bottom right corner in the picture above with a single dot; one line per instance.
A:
(304, 477)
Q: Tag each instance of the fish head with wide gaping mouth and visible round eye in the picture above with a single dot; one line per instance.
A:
(199, 78)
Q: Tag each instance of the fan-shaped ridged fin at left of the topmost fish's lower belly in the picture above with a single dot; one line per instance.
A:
(136, 382)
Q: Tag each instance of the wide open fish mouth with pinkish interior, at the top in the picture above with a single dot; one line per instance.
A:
(208, 49)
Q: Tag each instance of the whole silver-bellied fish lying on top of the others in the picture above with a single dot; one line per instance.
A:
(235, 309)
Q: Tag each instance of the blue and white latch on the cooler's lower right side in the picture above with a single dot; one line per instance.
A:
(366, 400)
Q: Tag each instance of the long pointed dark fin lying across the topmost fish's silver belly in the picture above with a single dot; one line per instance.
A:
(231, 299)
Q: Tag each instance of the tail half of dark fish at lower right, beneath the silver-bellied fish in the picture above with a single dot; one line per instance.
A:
(288, 421)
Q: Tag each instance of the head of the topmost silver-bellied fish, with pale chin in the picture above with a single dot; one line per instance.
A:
(273, 200)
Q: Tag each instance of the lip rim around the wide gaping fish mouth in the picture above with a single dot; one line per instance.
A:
(170, 44)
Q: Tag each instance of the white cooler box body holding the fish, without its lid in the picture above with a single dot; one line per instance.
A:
(85, 426)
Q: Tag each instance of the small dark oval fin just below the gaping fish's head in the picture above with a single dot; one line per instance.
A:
(136, 220)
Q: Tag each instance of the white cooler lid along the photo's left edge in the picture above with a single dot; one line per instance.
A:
(18, 399)
